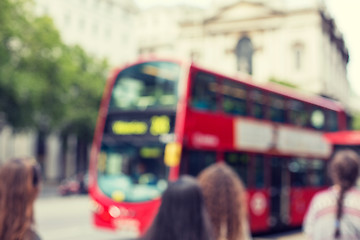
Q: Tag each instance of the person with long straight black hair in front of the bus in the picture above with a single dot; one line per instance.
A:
(182, 214)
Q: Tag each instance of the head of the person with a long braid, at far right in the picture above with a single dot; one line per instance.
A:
(344, 168)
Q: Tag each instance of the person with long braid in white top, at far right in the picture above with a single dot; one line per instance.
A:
(335, 212)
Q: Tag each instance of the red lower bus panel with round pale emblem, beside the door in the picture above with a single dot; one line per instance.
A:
(259, 210)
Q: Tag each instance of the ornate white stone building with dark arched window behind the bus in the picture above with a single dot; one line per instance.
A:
(289, 40)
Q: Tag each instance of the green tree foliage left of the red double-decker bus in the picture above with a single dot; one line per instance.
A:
(44, 83)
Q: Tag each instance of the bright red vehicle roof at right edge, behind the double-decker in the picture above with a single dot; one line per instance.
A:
(344, 137)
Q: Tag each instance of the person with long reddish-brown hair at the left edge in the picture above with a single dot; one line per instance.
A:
(19, 187)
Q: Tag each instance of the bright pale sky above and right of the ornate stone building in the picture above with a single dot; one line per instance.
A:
(346, 15)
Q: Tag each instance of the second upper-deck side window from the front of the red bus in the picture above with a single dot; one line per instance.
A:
(234, 98)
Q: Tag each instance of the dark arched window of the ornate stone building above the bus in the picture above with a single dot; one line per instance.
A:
(244, 53)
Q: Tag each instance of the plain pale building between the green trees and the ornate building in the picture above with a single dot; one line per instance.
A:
(102, 28)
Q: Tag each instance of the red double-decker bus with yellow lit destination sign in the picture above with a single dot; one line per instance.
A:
(159, 119)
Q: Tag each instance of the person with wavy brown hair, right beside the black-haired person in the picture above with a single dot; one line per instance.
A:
(226, 202)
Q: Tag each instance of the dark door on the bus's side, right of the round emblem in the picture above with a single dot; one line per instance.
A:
(279, 195)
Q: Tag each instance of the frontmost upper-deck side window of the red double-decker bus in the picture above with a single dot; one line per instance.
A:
(204, 92)
